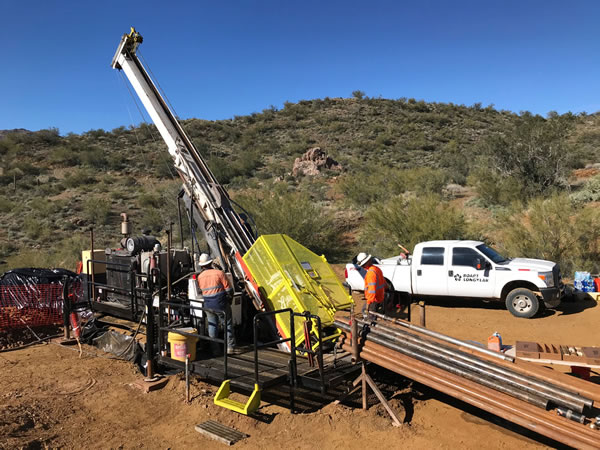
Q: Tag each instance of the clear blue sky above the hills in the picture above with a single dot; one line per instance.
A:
(217, 59)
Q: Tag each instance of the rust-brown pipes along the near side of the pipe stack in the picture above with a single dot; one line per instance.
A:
(542, 422)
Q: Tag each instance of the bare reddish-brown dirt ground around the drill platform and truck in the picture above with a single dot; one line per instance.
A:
(50, 398)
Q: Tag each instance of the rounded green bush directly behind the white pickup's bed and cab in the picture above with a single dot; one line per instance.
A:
(408, 221)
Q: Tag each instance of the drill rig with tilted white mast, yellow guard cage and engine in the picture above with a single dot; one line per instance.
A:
(268, 273)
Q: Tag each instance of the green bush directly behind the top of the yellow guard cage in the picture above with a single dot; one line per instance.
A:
(296, 215)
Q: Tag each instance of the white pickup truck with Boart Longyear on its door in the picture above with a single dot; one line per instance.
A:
(469, 269)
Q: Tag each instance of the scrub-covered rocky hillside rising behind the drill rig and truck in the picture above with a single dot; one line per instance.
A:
(53, 188)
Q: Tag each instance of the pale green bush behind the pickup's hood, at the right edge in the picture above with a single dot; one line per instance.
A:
(554, 229)
